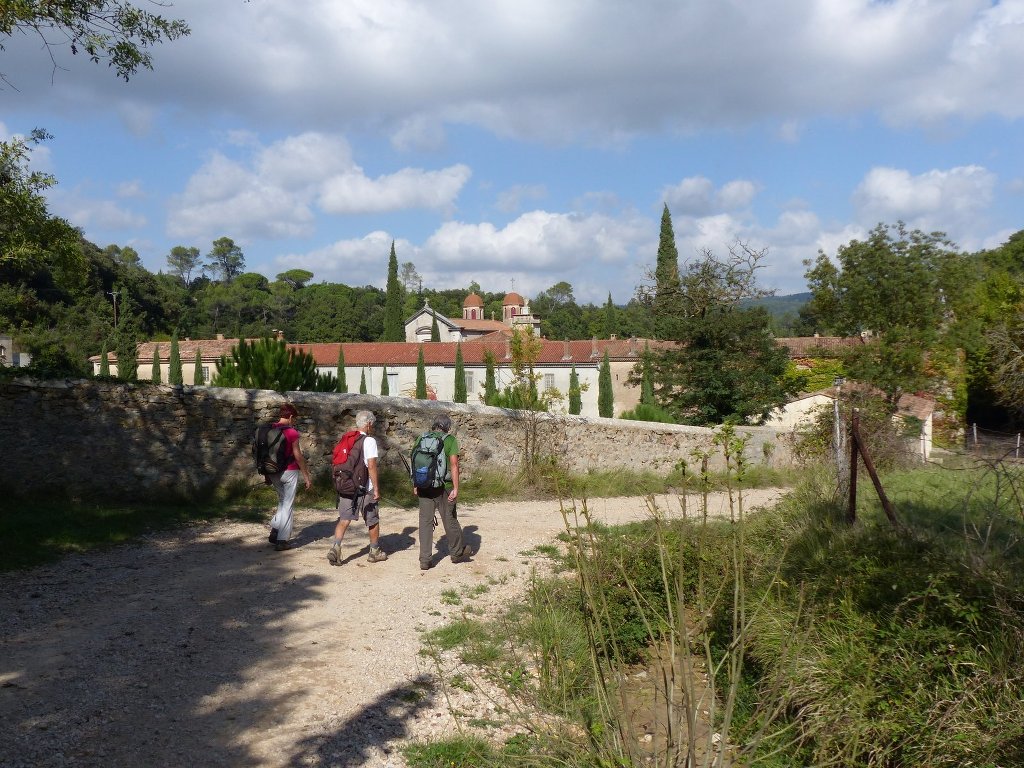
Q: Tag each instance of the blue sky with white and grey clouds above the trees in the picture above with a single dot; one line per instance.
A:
(521, 145)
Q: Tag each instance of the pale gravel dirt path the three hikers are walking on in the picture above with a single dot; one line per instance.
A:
(205, 648)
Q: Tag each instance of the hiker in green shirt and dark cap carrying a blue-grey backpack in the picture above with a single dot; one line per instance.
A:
(439, 492)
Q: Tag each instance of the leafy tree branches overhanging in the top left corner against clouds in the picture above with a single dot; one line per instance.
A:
(111, 31)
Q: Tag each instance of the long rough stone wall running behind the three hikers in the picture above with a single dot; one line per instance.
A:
(134, 442)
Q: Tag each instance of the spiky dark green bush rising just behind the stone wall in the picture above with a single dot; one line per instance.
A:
(267, 364)
